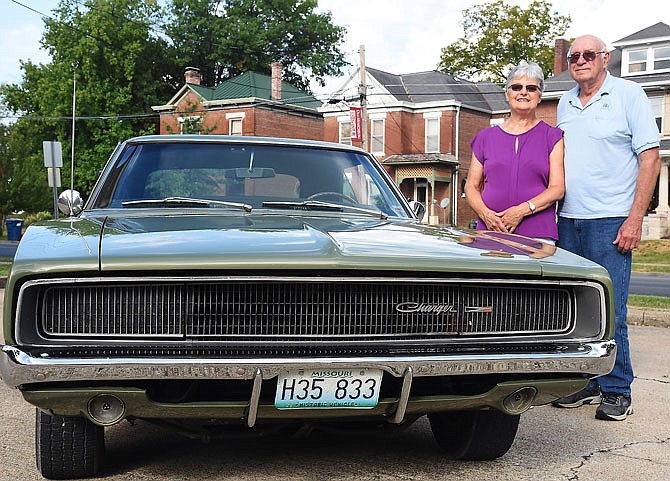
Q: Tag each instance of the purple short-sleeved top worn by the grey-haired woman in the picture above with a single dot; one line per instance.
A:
(511, 178)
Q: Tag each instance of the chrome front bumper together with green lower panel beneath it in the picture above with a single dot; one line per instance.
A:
(42, 381)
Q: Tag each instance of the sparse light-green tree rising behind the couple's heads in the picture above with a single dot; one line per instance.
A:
(498, 36)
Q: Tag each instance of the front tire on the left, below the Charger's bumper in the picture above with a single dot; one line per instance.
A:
(67, 447)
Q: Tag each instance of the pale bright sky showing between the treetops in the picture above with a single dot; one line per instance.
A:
(400, 36)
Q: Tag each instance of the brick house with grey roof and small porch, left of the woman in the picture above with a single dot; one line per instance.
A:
(419, 127)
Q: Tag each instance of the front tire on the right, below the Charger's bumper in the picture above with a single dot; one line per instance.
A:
(474, 435)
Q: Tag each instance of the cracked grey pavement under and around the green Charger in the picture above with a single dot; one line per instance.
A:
(551, 445)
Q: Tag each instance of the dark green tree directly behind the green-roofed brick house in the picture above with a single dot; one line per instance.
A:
(227, 37)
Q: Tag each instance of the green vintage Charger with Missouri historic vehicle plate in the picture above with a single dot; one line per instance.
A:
(213, 282)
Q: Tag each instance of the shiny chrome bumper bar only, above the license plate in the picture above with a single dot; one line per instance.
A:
(18, 368)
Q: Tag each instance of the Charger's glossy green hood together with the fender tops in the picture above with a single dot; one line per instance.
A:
(279, 241)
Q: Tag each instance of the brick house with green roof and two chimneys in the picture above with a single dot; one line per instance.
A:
(249, 104)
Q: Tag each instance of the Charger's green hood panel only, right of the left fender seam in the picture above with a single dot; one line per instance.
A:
(309, 242)
